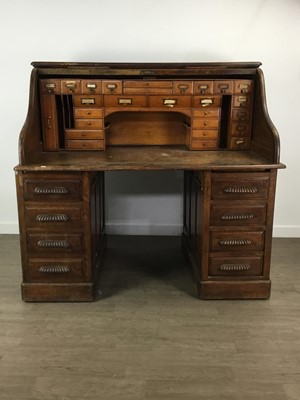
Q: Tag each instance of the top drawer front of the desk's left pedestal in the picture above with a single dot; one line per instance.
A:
(50, 189)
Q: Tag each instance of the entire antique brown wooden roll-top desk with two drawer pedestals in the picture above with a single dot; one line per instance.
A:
(209, 120)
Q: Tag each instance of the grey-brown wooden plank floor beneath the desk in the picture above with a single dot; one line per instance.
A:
(149, 337)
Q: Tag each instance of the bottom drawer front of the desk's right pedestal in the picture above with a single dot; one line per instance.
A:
(235, 266)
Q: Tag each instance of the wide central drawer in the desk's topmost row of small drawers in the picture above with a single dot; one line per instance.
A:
(147, 87)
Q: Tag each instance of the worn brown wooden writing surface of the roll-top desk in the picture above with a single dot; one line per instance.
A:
(147, 158)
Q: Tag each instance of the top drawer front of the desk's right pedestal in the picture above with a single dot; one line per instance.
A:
(240, 185)
